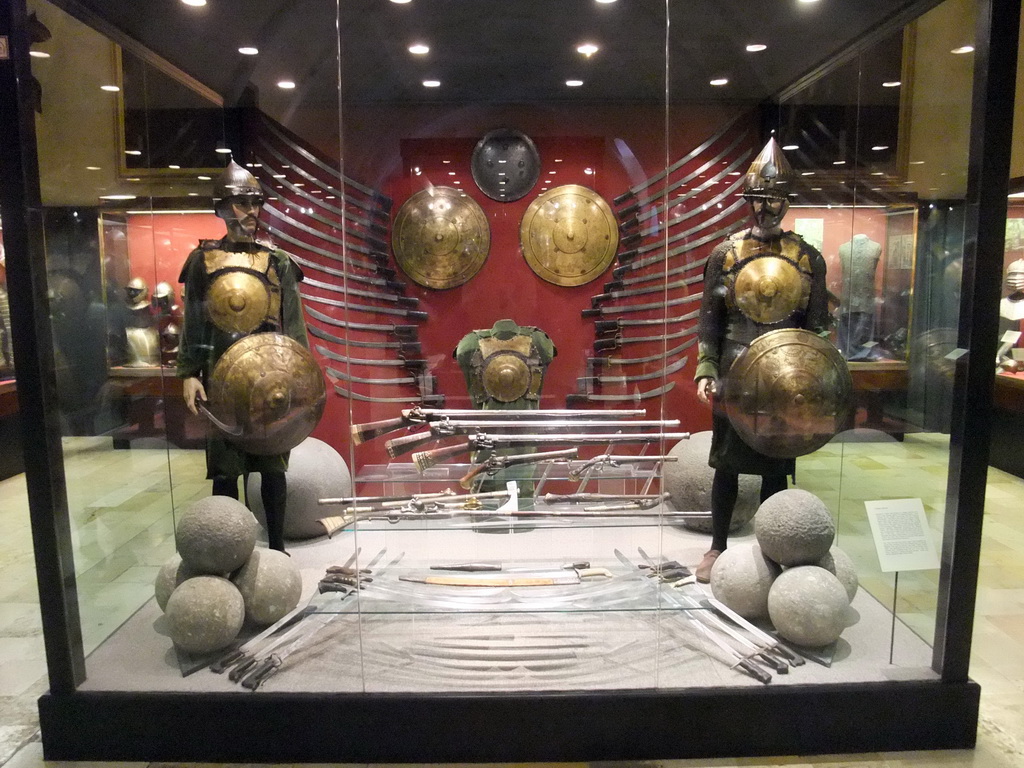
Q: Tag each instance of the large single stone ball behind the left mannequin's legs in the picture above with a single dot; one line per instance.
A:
(315, 472)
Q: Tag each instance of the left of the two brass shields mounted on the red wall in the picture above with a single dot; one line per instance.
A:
(441, 238)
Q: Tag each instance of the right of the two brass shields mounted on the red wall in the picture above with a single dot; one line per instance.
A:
(569, 236)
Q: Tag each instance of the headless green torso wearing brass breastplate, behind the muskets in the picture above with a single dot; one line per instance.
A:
(504, 367)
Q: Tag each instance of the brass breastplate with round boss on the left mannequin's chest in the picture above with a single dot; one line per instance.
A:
(245, 291)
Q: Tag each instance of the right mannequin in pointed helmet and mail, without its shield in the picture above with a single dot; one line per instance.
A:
(759, 280)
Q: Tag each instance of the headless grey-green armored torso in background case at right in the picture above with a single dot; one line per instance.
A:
(859, 261)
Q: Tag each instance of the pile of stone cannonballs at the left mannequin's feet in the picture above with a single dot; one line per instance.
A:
(220, 579)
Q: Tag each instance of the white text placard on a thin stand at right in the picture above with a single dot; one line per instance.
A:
(903, 538)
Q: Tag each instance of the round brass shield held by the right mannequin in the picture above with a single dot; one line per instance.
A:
(789, 394)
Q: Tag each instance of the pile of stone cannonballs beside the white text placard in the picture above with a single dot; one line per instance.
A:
(793, 576)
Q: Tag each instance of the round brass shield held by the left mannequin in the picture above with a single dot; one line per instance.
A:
(269, 389)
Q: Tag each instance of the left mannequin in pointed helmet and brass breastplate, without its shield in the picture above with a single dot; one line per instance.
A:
(236, 287)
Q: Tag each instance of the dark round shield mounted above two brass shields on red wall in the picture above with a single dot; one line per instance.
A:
(505, 165)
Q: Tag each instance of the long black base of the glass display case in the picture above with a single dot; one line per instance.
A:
(616, 726)
